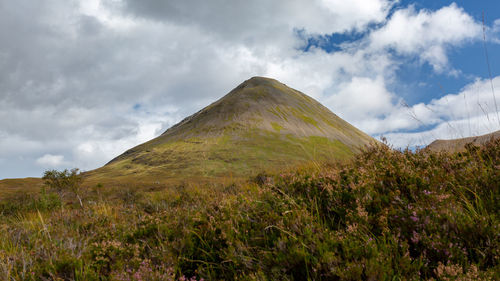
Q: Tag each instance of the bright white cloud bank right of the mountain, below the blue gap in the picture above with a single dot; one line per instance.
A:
(369, 106)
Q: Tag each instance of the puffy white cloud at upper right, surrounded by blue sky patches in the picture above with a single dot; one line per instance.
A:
(426, 33)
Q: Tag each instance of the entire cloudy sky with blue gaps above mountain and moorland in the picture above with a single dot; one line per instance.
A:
(81, 81)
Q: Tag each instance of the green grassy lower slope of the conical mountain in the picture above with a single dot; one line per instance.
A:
(213, 159)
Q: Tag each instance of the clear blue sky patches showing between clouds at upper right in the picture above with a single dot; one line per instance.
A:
(421, 84)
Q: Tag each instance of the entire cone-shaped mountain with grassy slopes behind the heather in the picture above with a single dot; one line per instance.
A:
(260, 126)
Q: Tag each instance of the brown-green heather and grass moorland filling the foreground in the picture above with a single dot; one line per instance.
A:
(386, 215)
